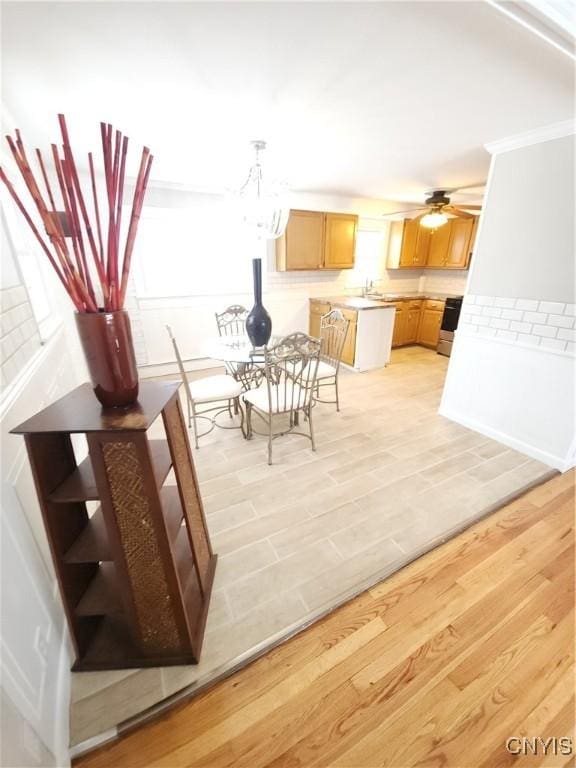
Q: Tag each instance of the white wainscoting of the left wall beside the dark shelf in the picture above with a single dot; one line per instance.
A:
(34, 642)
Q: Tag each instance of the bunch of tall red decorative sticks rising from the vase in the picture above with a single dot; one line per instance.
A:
(72, 265)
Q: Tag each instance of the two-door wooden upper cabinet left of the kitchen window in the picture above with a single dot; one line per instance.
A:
(317, 240)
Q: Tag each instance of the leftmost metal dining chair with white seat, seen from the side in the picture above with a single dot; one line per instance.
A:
(211, 391)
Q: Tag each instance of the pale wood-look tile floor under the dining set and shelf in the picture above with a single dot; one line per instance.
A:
(390, 480)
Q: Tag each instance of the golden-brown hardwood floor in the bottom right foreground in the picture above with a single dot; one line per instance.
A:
(437, 666)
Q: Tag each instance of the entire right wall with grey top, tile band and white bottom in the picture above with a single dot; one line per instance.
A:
(512, 370)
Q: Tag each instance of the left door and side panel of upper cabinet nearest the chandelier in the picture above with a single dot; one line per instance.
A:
(302, 246)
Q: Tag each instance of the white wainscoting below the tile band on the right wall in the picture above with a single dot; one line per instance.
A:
(520, 395)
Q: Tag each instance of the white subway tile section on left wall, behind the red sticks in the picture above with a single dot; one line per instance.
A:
(19, 337)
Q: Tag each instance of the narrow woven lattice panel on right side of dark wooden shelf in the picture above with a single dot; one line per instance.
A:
(187, 482)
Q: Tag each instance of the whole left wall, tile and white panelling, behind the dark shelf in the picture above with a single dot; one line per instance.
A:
(38, 365)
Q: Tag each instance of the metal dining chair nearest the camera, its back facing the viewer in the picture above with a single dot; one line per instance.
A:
(290, 368)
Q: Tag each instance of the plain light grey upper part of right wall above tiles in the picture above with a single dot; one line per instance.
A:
(527, 237)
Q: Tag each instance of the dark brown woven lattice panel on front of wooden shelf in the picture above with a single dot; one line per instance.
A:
(134, 518)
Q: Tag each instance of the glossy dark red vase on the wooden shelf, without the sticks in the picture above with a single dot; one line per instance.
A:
(106, 339)
